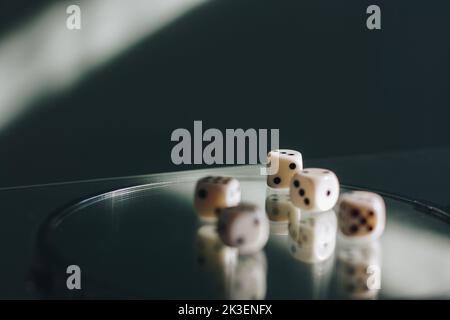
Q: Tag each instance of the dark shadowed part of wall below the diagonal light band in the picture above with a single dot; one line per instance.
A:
(309, 68)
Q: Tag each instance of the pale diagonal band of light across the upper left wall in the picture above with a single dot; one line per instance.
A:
(43, 57)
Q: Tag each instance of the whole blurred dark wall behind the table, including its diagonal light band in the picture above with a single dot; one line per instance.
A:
(309, 68)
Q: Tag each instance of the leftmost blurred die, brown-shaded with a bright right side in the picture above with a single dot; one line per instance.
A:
(215, 193)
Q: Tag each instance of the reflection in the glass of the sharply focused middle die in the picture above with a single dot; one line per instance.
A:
(313, 236)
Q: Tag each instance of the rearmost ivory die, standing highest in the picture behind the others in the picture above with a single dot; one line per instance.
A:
(288, 162)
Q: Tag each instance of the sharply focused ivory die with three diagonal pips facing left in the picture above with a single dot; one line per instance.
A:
(314, 190)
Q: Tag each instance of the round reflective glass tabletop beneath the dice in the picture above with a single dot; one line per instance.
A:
(144, 242)
